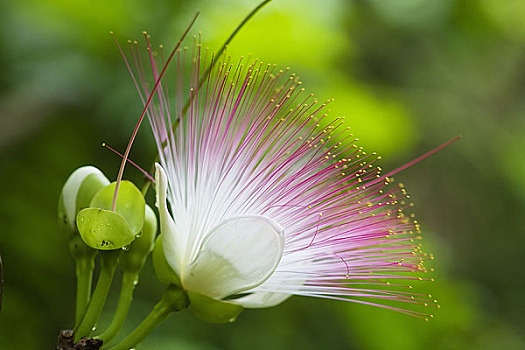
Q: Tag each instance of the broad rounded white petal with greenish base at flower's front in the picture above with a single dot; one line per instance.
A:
(238, 254)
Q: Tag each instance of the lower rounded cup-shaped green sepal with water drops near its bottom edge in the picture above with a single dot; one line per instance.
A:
(104, 229)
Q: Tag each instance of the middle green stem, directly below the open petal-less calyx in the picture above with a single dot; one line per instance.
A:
(108, 262)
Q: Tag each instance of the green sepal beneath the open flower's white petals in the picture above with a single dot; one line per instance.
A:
(211, 310)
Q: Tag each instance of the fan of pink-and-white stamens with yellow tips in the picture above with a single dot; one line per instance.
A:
(250, 142)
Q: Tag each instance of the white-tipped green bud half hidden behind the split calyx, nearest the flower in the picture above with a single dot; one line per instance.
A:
(134, 258)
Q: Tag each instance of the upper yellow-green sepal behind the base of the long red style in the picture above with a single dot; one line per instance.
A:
(130, 203)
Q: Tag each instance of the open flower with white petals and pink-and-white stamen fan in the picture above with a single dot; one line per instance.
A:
(263, 203)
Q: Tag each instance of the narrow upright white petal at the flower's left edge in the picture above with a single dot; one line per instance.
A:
(173, 250)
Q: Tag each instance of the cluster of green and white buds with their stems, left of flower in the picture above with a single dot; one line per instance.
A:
(124, 236)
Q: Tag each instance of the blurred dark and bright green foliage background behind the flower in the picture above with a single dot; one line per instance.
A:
(407, 74)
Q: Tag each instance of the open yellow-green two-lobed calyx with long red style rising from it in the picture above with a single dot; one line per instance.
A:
(104, 229)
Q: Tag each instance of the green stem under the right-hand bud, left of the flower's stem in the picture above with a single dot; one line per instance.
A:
(129, 280)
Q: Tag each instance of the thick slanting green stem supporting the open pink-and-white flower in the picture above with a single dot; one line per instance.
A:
(173, 299)
